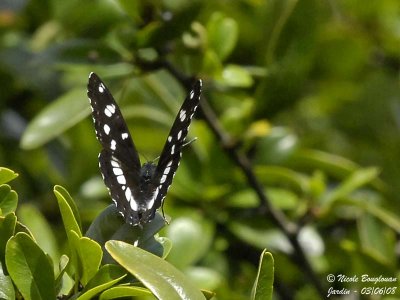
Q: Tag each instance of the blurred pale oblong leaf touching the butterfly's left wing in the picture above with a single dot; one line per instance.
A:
(60, 115)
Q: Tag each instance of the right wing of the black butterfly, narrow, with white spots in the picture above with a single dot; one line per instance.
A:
(172, 151)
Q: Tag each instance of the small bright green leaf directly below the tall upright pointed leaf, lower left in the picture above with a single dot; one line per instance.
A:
(89, 256)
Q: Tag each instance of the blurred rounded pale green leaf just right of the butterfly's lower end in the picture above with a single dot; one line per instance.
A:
(191, 239)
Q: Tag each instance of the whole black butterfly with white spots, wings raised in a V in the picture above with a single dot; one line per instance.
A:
(137, 190)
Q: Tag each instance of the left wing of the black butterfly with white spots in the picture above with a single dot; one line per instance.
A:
(119, 161)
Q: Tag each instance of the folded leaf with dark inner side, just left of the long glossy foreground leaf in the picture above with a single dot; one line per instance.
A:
(105, 278)
